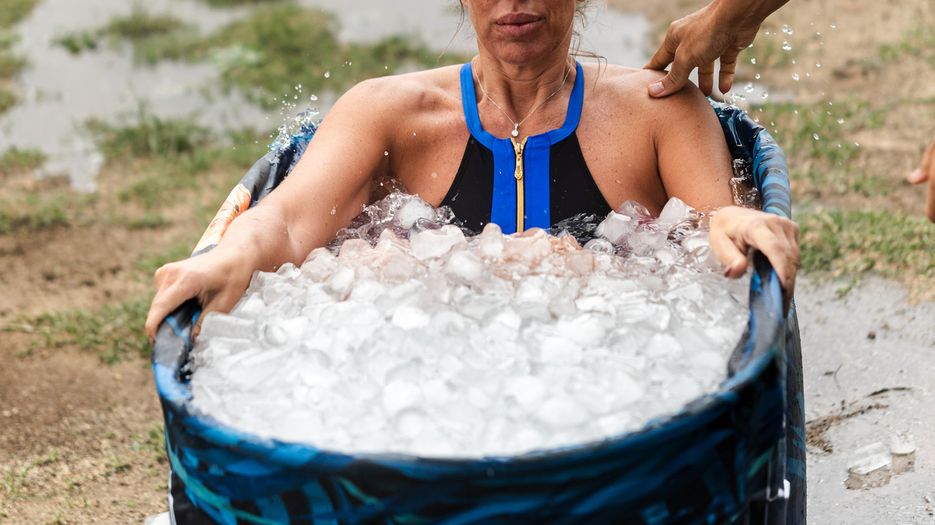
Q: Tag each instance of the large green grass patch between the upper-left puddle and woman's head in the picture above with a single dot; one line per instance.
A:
(274, 49)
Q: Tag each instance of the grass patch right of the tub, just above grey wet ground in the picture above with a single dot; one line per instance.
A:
(857, 241)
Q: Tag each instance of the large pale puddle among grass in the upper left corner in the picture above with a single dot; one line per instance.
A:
(60, 92)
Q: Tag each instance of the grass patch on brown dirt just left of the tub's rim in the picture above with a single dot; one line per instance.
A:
(114, 332)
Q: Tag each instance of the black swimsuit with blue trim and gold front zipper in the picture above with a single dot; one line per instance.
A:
(520, 184)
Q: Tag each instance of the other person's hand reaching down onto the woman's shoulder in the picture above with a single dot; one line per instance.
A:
(721, 29)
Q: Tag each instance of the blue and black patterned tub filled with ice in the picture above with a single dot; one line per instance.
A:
(736, 456)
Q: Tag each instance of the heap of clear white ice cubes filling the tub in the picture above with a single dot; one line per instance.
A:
(407, 336)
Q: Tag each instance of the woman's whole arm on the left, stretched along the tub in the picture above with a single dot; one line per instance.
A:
(324, 192)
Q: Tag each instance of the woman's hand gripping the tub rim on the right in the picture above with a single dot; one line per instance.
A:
(734, 230)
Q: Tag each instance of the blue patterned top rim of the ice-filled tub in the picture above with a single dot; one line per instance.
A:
(759, 347)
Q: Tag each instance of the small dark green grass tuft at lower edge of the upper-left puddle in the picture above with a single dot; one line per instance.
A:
(150, 136)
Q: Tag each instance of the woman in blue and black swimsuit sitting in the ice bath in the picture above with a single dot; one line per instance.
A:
(521, 136)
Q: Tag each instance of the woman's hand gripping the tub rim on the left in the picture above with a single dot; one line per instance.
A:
(214, 278)
